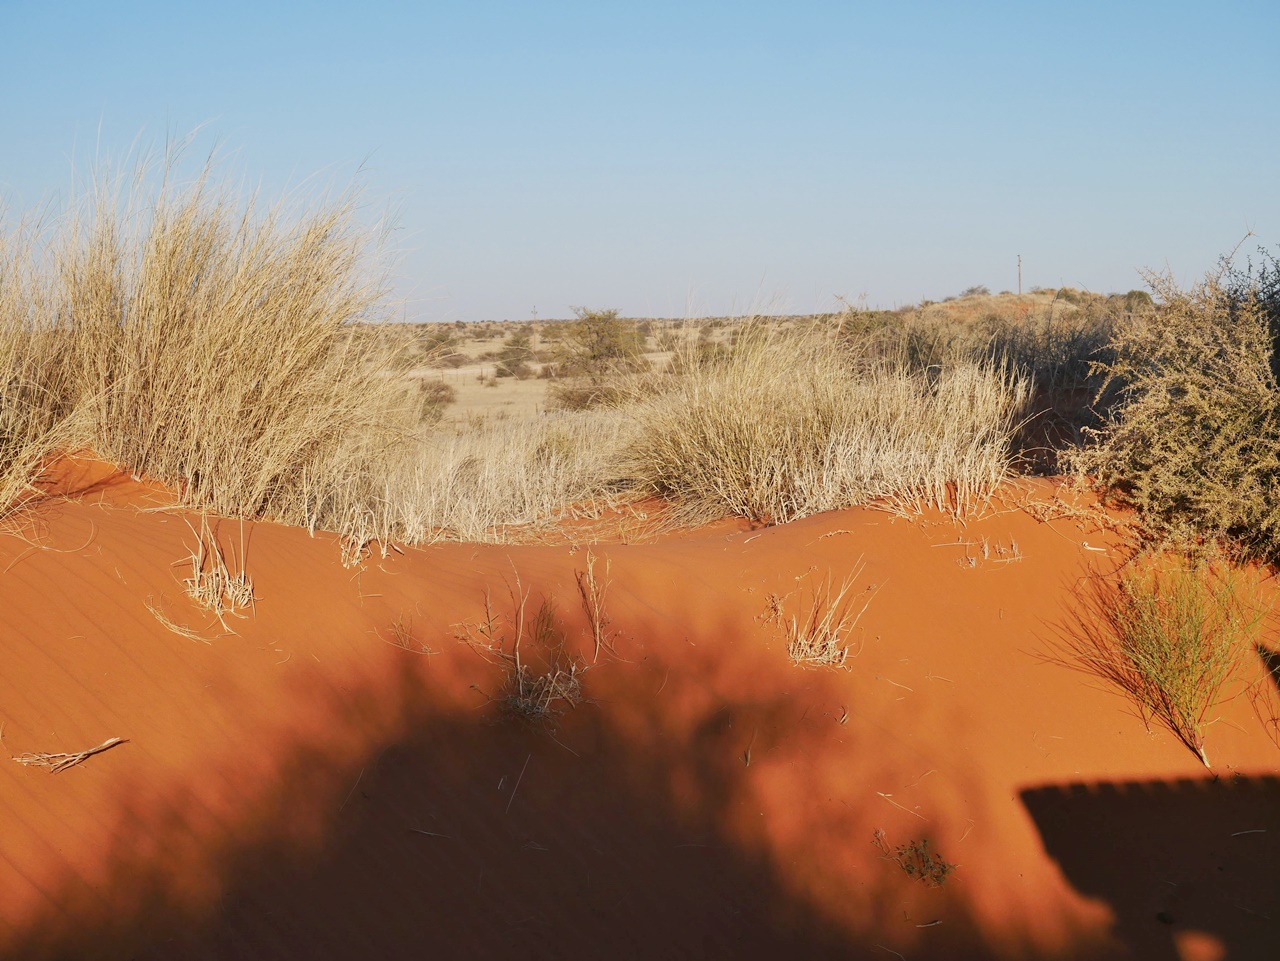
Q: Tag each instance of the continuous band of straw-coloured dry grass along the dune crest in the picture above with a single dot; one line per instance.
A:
(209, 342)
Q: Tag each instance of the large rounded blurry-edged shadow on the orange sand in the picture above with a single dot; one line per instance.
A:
(618, 831)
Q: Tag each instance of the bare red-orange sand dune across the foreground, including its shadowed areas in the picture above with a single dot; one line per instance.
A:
(304, 788)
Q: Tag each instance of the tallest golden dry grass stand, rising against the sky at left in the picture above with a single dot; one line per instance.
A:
(203, 341)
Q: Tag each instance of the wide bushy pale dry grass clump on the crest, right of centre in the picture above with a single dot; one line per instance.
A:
(788, 427)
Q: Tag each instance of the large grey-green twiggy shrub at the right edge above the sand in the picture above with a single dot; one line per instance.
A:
(1192, 431)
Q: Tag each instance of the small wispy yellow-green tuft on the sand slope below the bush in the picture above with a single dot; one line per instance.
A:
(1171, 639)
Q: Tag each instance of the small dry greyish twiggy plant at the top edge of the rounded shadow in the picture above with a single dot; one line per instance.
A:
(529, 693)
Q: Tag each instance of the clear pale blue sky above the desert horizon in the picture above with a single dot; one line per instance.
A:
(694, 158)
